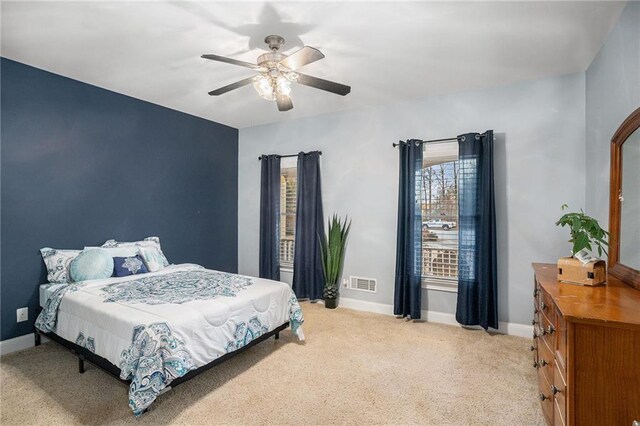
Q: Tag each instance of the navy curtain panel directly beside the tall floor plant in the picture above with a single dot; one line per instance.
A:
(308, 276)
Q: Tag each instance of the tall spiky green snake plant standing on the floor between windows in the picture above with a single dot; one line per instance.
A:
(332, 250)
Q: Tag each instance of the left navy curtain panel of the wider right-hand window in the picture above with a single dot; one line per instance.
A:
(408, 288)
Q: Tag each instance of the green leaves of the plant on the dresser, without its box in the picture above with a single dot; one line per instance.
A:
(586, 233)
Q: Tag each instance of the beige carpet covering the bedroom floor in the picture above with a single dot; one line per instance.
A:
(354, 368)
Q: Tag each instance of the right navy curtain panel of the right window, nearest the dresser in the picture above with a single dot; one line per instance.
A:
(477, 270)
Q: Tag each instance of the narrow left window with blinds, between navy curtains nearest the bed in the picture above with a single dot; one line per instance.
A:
(288, 192)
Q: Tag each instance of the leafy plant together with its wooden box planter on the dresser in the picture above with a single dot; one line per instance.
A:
(586, 235)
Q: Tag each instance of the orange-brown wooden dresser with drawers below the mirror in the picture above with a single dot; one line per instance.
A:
(586, 350)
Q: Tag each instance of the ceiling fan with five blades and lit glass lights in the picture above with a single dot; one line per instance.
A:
(277, 71)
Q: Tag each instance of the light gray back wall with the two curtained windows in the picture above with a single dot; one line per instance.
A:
(539, 165)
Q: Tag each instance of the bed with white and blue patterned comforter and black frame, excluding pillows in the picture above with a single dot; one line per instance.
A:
(159, 329)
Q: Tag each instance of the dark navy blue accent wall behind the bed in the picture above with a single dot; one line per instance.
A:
(81, 164)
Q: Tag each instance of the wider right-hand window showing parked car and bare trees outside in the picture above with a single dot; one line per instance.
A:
(439, 199)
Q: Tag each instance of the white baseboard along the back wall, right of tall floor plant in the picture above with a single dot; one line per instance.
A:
(512, 329)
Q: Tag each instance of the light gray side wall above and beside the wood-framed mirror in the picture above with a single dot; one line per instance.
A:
(613, 92)
